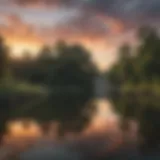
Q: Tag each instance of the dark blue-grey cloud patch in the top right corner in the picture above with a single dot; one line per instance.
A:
(126, 8)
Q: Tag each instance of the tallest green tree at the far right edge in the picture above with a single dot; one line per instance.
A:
(148, 53)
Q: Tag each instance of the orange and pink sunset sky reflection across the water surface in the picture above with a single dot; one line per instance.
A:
(103, 135)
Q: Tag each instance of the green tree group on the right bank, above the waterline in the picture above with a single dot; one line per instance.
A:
(144, 65)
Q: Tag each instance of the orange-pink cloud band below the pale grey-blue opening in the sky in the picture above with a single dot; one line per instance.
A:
(82, 27)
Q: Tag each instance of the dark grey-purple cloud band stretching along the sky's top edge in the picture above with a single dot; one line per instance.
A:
(130, 11)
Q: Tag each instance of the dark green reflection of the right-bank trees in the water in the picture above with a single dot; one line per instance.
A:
(145, 110)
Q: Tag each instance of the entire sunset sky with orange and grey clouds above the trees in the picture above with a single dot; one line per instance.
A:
(99, 25)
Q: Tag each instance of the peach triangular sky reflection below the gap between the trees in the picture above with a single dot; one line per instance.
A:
(103, 118)
